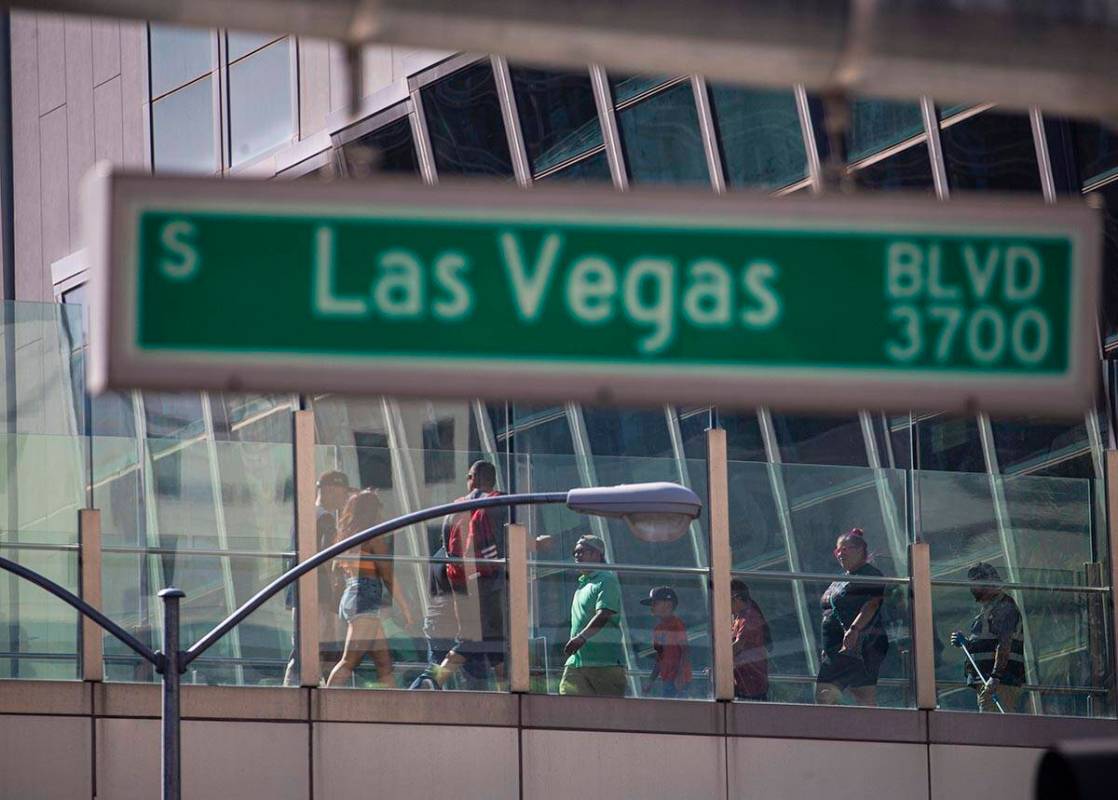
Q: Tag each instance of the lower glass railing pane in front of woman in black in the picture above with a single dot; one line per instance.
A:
(802, 658)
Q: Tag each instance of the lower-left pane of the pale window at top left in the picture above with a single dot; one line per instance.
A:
(183, 130)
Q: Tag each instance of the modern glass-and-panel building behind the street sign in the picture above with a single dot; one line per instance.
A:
(198, 490)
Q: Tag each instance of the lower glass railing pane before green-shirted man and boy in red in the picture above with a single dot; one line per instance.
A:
(646, 650)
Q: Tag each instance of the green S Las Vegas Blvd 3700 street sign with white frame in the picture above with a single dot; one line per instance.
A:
(580, 294)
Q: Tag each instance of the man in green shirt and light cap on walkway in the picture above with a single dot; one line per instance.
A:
(595, 660)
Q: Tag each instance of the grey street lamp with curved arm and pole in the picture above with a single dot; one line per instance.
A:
(662, 509)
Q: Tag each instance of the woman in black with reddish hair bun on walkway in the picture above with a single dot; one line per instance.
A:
(855, 641)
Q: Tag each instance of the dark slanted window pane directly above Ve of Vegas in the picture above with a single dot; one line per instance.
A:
(558, 117)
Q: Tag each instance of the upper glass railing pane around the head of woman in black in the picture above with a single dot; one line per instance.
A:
(788, 518)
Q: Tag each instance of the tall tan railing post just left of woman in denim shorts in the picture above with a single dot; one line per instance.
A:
(307, 545)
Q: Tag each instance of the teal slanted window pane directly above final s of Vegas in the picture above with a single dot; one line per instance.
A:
(761, 137)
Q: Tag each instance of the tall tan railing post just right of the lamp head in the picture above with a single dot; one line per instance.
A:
(718, 504)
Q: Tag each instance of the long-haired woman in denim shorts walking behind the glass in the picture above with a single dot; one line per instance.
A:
(366, 582)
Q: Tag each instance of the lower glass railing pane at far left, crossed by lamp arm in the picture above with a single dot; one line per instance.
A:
(39, 633)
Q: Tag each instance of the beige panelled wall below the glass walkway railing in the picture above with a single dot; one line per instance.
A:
(71, 740)
